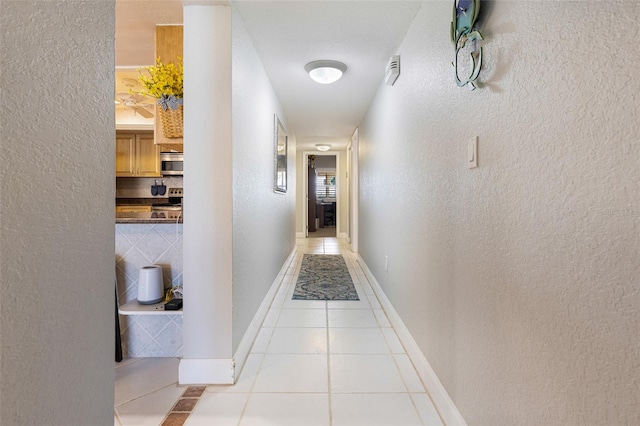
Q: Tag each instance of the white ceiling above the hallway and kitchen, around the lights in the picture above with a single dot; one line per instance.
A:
(287, 35)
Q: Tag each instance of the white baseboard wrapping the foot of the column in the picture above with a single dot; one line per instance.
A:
(206, 371)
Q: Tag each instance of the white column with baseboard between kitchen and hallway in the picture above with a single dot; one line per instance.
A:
(208, 201)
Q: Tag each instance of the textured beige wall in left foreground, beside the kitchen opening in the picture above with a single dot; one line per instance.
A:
(56, 203)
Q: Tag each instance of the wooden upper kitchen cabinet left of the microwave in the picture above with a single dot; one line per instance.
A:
(137, 155)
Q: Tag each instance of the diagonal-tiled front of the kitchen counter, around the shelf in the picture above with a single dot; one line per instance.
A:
(138, 245)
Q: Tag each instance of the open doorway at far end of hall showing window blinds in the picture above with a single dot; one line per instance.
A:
(322, 197)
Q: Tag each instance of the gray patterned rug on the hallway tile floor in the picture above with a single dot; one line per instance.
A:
(324, 277)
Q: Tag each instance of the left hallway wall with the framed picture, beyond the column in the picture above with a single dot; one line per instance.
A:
(263, 221)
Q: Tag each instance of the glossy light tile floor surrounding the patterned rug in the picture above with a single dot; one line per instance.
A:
(312, 363)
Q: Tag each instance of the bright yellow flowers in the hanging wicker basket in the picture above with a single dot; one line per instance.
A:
(164, 83)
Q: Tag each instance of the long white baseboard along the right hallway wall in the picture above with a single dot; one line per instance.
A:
(439, 395)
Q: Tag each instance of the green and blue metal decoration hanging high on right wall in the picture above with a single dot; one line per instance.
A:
(465, 14)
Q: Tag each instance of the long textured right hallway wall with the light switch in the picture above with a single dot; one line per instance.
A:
(519, 279)
